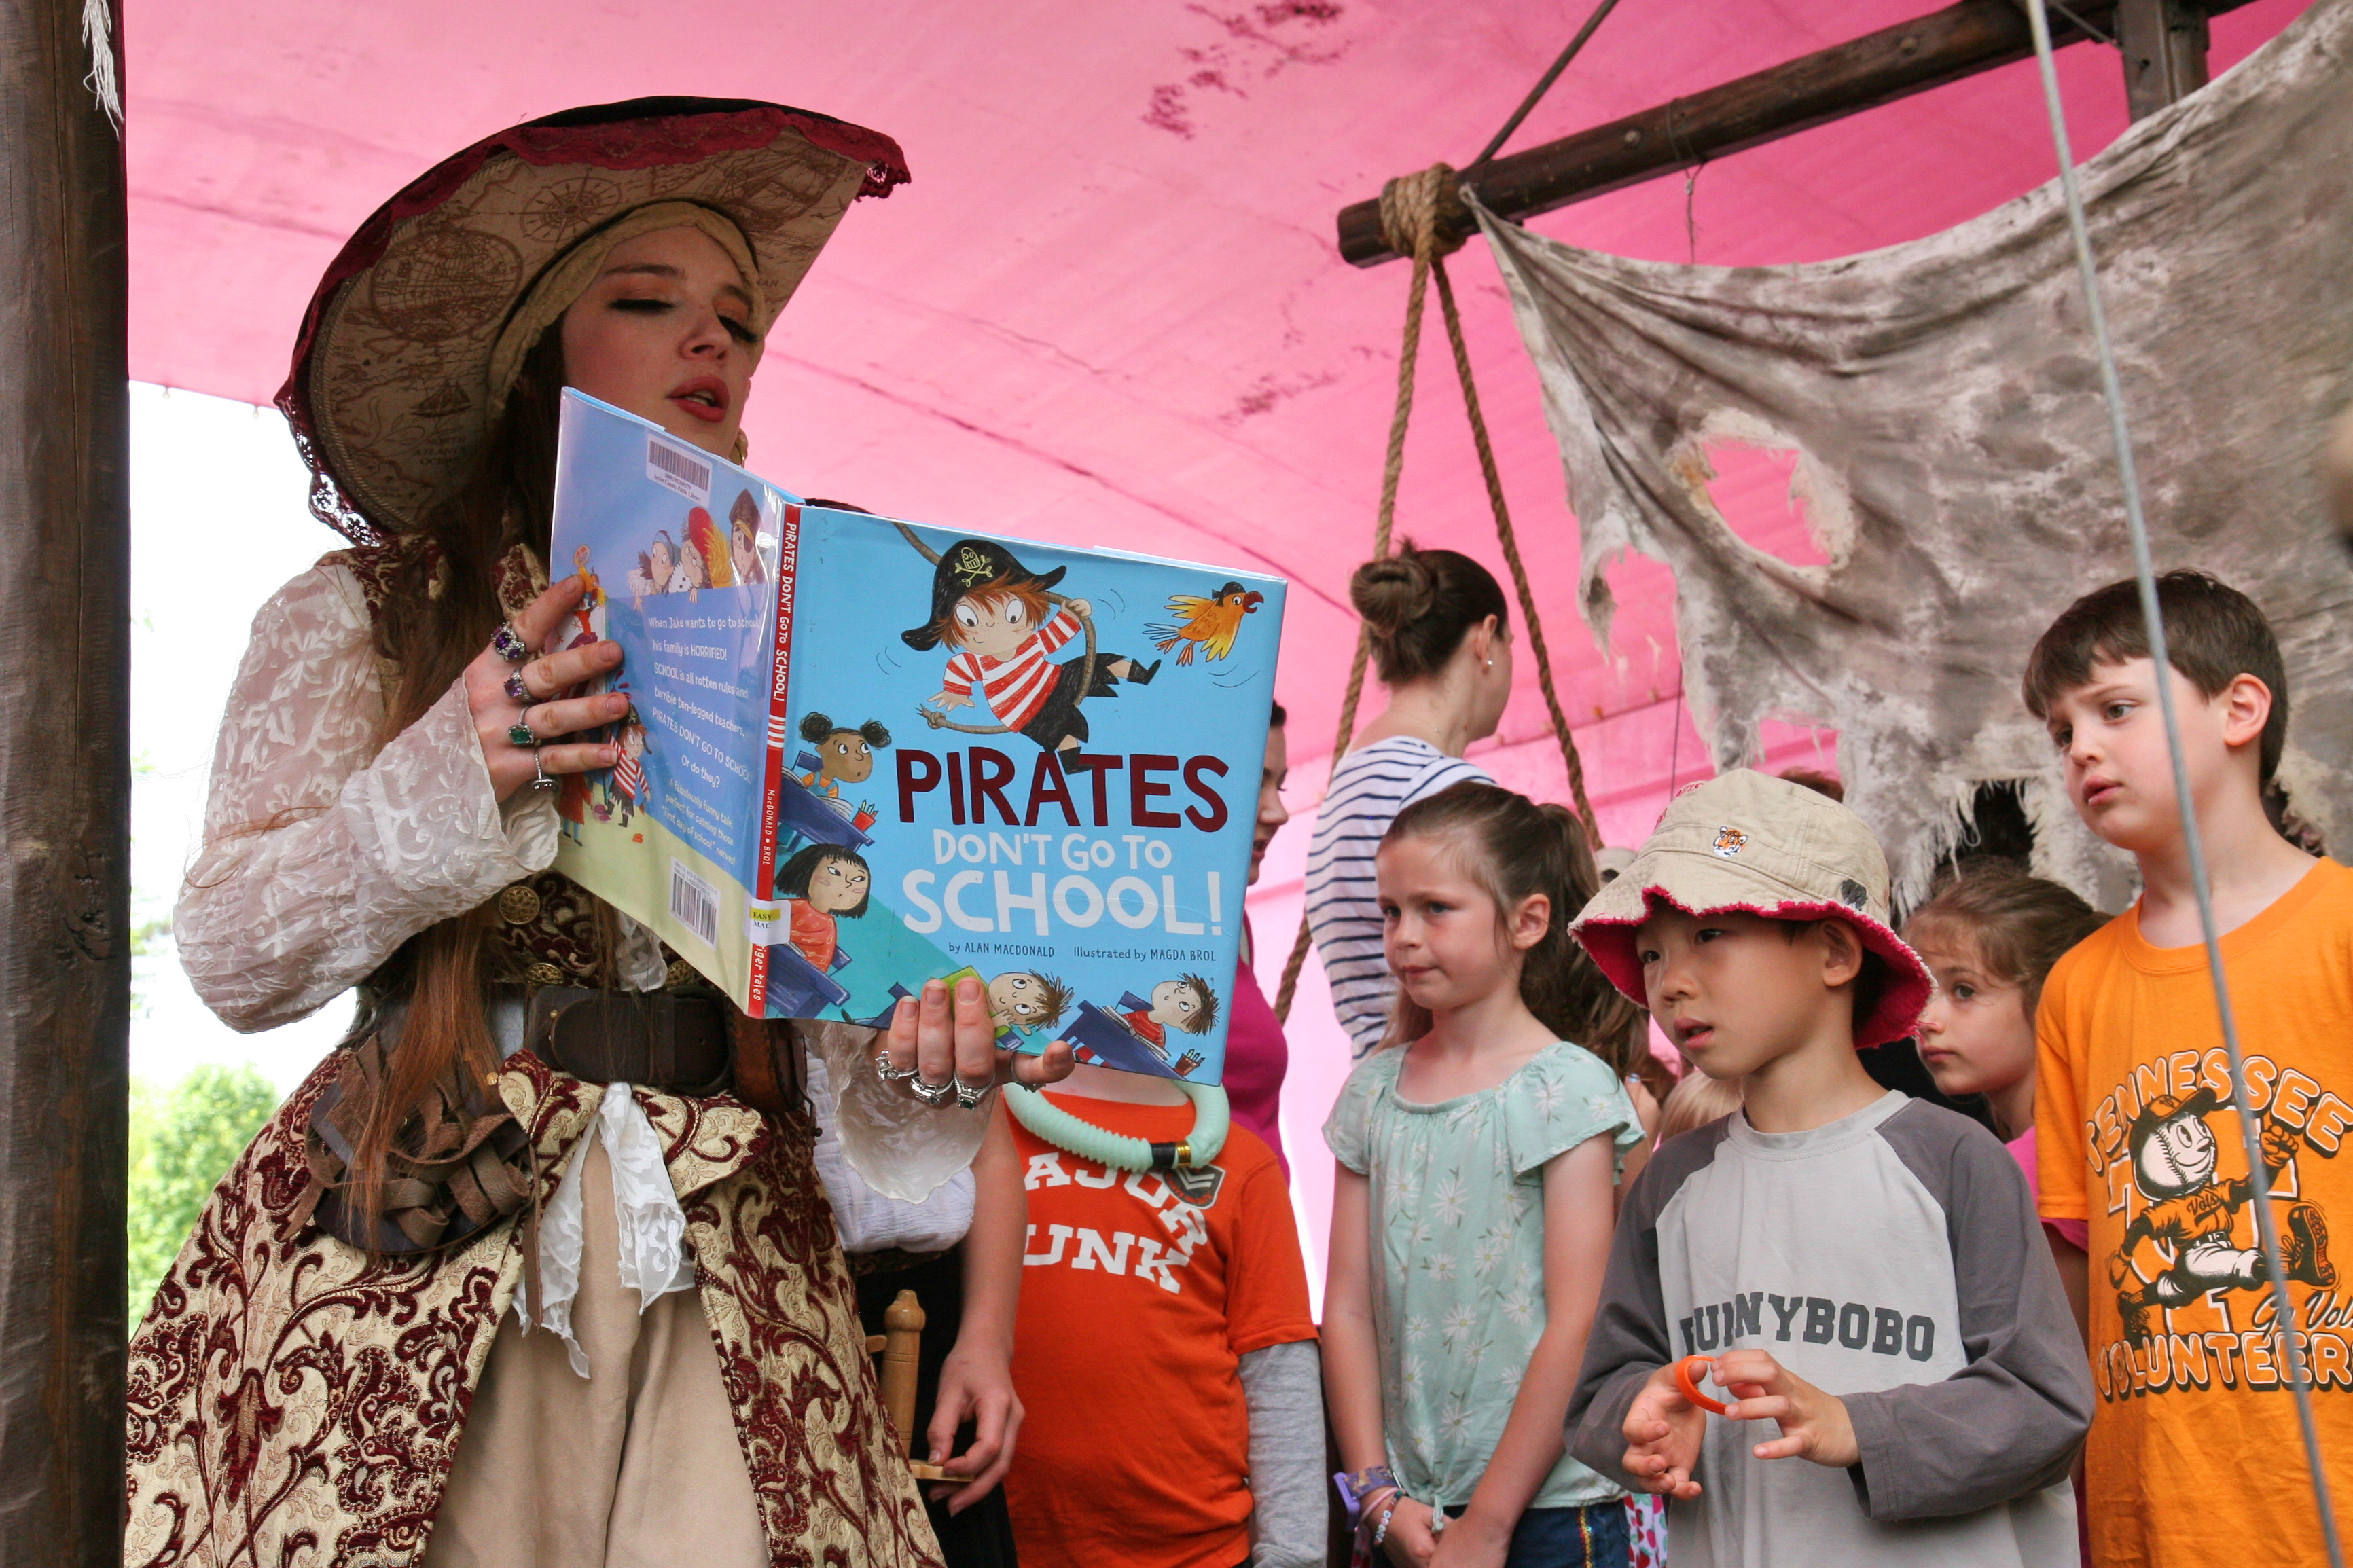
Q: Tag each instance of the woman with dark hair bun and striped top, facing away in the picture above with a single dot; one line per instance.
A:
(1441, 643)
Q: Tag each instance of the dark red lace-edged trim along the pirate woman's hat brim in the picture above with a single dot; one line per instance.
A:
(615, 145)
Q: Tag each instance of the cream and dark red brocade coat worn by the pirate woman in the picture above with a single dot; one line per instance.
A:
(295, 1402)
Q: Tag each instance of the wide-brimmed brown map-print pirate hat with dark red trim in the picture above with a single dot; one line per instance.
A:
(392, 384)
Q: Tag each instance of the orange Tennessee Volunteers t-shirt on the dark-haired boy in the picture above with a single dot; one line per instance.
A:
(2197, 1452)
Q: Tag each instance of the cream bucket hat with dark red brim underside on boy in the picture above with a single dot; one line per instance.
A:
(1768, 847)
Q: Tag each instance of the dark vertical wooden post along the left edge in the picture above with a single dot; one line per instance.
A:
(65, 791)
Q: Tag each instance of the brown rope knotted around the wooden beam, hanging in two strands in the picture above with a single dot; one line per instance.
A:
(1425, 217)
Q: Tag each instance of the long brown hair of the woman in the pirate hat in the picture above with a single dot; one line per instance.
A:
(436, 619)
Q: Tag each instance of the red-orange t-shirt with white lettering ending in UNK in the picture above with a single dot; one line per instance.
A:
(1138, 1308)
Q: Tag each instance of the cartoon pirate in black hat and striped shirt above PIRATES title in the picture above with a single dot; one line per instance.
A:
(999, 624)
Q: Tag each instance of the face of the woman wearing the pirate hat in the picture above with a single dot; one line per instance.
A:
(667, 335)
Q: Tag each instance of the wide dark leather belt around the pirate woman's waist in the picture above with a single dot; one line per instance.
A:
(658, 1040)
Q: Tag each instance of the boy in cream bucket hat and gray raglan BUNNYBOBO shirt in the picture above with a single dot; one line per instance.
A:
(1860, 1268)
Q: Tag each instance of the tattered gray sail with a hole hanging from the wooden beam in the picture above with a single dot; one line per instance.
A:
(1957, 460)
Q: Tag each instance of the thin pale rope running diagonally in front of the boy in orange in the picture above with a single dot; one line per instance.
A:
(2145, 570)
